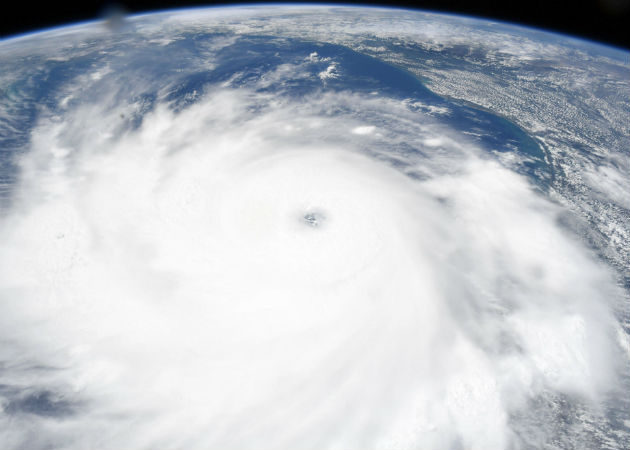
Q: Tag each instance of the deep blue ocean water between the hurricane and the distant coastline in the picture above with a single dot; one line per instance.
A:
(141, 70)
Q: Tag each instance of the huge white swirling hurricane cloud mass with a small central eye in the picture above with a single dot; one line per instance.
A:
(263, 271)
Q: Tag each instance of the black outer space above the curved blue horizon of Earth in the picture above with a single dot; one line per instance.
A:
(605, 21)
